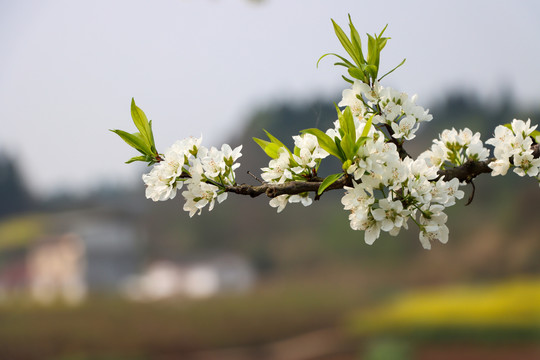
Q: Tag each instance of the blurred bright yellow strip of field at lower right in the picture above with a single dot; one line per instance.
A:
(505, 310)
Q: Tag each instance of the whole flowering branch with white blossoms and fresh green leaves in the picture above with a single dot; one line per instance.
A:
(384, 187)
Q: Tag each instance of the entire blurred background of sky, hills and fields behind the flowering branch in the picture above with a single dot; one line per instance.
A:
(90, 269)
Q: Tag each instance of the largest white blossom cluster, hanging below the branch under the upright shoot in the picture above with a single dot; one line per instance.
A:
(387, 191)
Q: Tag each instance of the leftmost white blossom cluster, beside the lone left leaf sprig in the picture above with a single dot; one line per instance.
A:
(205, 173)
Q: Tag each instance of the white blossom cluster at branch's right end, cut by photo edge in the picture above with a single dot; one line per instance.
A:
(513, 147)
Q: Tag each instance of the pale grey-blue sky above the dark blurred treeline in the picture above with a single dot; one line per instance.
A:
(68, 69)
